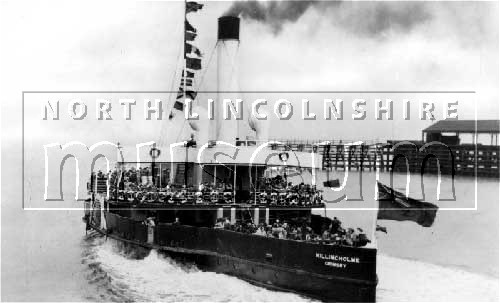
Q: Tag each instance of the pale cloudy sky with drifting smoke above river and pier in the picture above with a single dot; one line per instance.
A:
(286, 46)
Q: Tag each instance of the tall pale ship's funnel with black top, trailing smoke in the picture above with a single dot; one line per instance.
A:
(227, 78)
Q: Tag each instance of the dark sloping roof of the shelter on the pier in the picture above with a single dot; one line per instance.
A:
(465, 126)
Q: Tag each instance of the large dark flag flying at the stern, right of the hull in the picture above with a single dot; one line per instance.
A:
(394, 205)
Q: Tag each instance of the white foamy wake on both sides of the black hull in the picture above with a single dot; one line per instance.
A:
(121, 275)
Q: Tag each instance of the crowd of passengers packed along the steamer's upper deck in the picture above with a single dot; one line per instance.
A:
(136, 185)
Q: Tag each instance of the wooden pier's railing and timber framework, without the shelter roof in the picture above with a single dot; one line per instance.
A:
(400, 156)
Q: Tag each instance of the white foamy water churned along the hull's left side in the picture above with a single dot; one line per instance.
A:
(157, 277)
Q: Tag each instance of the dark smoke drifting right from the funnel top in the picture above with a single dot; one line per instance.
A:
(362, 18)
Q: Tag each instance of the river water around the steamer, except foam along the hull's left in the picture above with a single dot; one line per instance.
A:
(46, 255)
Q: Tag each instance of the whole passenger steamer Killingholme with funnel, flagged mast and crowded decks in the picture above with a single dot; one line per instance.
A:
(174, 203)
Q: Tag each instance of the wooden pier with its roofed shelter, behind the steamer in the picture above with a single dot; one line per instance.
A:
(440, 150)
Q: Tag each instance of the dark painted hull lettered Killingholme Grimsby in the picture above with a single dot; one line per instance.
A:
(273, 263)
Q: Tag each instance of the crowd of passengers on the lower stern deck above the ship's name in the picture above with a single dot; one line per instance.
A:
(334, 233)
